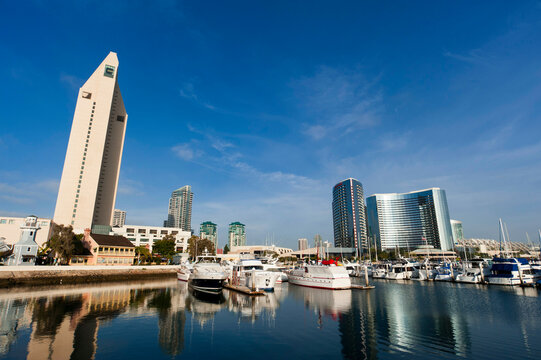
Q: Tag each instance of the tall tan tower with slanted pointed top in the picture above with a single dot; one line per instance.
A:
(90, 176)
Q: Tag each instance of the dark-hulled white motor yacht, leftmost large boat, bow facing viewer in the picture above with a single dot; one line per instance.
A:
(207, 275)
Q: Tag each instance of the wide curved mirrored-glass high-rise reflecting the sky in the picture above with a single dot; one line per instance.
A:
(410, 220)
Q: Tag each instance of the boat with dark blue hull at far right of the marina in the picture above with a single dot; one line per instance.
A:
(512, 271)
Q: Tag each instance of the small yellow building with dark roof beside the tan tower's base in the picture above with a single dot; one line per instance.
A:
(105, 250)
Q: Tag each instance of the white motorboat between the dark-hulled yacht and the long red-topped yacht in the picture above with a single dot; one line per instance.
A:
(250, 273)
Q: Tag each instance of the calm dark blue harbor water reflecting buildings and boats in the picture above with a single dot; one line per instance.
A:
(162, 319)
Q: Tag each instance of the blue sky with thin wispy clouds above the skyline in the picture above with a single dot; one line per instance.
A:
(262, 107)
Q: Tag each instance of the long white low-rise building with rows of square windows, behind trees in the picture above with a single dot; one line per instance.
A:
(141, 235)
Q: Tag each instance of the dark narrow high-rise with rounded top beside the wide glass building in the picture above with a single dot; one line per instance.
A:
(348, 212)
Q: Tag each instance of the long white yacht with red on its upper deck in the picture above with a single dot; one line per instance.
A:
(326, 275)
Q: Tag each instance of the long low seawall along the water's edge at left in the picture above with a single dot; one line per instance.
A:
(55, 275)
